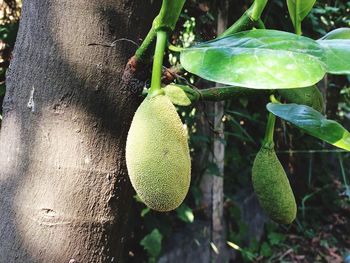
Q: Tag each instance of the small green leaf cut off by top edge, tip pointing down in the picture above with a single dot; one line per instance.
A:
(299, 9)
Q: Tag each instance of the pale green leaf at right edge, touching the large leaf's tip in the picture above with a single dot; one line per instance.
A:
(336, 55)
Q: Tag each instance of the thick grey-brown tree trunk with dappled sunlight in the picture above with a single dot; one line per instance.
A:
(64, 190)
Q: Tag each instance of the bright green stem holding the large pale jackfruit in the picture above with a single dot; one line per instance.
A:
(158, 62)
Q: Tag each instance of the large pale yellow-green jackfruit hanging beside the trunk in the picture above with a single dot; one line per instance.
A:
(157, 154)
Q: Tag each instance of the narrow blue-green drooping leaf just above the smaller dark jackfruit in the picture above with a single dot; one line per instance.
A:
(313, 123)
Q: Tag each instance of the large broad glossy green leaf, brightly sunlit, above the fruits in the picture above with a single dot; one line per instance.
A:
(258, 59)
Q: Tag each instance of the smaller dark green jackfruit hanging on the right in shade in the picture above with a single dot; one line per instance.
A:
(272, 187)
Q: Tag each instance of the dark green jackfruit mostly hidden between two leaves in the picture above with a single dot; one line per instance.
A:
(309, 96)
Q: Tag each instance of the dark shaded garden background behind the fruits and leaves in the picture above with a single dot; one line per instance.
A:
(221, 218)
